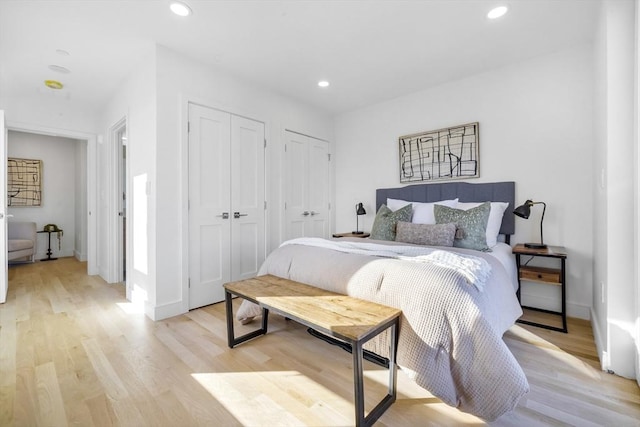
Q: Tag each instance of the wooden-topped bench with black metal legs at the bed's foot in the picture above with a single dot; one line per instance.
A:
(351, 320)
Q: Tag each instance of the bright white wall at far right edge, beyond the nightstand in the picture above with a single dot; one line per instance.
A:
(614, 304)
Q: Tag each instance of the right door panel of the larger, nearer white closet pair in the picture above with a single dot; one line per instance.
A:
(247, 197)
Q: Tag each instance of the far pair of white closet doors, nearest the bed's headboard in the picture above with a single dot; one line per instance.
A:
(307, 194)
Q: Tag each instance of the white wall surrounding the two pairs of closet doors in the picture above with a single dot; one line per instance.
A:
(180, 80)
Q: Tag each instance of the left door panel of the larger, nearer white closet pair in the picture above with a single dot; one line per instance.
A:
(209, 199)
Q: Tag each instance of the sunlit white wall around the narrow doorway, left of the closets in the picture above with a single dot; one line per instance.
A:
(135, 101)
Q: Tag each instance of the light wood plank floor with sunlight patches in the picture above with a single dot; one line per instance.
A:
(73, 351)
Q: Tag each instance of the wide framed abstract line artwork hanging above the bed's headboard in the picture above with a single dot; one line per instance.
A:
(450, 153)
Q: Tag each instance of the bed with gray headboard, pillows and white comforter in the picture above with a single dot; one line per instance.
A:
(457, 302)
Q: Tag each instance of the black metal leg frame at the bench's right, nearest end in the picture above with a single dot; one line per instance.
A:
(358, 380)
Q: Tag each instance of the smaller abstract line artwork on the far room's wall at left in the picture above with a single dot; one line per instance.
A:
(24, 182)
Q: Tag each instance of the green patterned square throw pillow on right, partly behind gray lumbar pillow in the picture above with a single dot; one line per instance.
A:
(472, 223)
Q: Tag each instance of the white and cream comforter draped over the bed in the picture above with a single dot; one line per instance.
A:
(452, 325)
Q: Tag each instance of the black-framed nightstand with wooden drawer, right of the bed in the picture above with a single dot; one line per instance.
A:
(543, 275)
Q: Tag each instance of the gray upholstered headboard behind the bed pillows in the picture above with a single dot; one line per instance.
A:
(464, 191)
